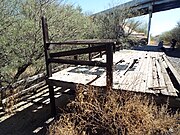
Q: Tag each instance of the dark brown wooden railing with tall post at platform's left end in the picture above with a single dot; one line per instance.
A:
(93, 45)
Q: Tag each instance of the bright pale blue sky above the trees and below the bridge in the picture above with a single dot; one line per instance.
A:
(161, 21)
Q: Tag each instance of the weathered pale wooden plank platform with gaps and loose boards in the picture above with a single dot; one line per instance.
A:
(138, 71)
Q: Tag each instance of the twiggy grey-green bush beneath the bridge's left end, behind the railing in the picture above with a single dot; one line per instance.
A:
(116, 24)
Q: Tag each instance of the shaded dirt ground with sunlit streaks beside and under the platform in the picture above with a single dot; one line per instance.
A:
(33, 120)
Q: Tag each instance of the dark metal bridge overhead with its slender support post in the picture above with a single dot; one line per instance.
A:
(144, 7)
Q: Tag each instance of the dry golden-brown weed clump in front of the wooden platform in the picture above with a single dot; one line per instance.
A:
(114, 113)
